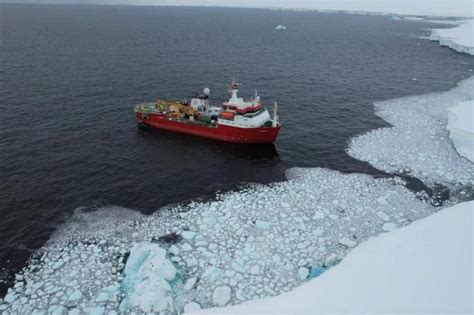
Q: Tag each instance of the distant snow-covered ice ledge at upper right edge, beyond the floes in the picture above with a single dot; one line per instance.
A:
(459, 38)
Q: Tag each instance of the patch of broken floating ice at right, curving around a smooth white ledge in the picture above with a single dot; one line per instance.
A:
(418, 142)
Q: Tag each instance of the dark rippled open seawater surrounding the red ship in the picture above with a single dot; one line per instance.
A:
(70, 76)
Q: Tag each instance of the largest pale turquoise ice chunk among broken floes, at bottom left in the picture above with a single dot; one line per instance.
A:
(147, 273)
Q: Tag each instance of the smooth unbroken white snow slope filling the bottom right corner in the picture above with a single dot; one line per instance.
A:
(425, 267)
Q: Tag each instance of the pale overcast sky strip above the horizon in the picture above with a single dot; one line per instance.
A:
(416, 7)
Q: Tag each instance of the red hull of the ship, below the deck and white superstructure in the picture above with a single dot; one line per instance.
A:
(218, 132)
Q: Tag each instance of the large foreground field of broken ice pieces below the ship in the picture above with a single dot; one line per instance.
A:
(301, 223)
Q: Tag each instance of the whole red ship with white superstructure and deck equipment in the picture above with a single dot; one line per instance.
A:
(235, 121)
